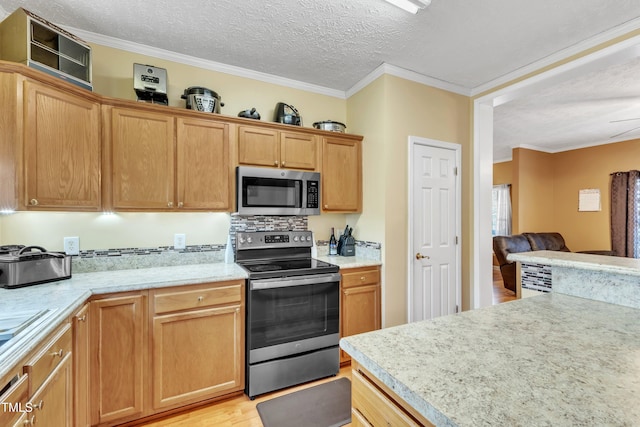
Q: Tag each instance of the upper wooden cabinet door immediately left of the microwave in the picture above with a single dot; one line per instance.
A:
(203, 165)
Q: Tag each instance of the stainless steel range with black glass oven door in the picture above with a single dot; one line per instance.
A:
(293, 309)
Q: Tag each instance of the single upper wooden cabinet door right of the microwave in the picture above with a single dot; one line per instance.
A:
(341, 174)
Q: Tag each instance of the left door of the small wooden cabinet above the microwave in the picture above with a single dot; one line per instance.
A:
(258, 147)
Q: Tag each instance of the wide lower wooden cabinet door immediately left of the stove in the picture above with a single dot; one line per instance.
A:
(197, 355)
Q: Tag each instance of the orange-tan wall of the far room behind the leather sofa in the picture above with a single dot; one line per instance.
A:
(546, 186)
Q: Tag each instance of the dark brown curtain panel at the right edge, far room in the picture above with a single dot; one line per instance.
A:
(624, 213)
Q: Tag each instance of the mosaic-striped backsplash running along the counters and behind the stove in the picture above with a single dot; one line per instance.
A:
(133, 258)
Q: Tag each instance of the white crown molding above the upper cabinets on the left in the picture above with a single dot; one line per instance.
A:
(202, 63)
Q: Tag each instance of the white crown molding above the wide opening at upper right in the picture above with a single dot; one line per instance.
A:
(563, 54)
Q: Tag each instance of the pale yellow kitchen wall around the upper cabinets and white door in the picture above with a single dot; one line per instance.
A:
(386, 112)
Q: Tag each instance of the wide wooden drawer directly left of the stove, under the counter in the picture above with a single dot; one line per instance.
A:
(190, 298)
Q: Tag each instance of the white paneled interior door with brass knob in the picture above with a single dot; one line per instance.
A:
(434, 206)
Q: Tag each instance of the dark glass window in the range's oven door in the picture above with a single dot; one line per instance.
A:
(293, 313)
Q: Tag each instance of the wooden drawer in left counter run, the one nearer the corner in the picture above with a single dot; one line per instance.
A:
(48, 358)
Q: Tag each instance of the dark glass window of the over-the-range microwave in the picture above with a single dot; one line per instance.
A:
(271, 192)
